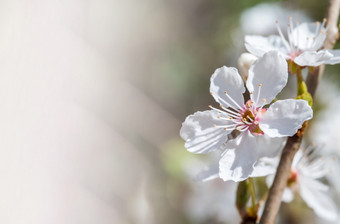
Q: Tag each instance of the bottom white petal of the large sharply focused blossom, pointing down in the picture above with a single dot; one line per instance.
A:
(237, 163)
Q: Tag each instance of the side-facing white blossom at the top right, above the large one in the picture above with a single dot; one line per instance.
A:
(302, 46)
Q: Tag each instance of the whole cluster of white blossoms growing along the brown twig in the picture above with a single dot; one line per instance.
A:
(250, 124)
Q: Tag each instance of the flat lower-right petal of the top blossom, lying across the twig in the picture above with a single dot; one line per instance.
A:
(313, 58)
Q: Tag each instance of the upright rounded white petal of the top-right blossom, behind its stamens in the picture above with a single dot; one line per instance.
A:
(304, 34)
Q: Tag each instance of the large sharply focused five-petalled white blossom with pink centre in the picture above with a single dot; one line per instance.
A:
(208, 130)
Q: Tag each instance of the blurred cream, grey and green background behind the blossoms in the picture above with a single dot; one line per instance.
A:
(93, 94)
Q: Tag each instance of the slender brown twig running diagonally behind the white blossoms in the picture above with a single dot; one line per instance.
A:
(293, 143)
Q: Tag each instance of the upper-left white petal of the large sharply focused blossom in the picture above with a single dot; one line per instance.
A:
(227, 79)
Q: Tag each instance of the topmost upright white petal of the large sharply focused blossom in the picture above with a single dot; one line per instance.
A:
(271, 71)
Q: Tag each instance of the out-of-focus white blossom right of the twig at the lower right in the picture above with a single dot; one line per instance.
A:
(308, 166)
